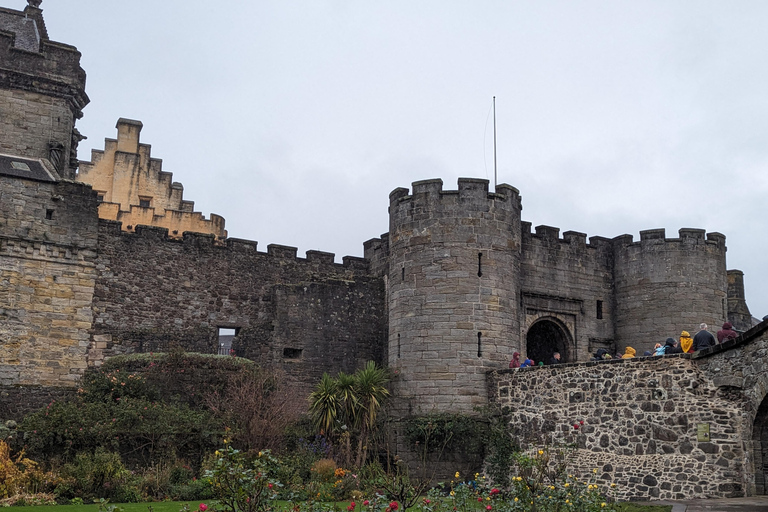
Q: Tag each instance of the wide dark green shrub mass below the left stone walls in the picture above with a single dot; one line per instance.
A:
(119, 411)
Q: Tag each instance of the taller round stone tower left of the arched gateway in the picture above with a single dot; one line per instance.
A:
(454, 263)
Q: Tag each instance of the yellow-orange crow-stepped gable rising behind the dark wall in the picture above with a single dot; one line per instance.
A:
(134, 190)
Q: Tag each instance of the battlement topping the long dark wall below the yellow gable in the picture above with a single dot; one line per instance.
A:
(276, 252)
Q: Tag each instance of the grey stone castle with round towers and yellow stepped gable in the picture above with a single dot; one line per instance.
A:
(91, 267)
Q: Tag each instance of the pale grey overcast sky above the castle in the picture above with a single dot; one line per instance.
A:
(294, 120)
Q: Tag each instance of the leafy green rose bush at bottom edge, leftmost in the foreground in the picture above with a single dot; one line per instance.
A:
(242, 483)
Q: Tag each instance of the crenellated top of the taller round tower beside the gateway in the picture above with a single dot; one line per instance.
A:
(470, 190)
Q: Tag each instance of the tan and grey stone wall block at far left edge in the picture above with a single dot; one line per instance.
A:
(47, 277)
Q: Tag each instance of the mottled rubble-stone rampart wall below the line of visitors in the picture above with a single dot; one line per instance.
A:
(641, 424)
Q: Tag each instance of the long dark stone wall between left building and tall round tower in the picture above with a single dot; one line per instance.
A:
(305, 315)
